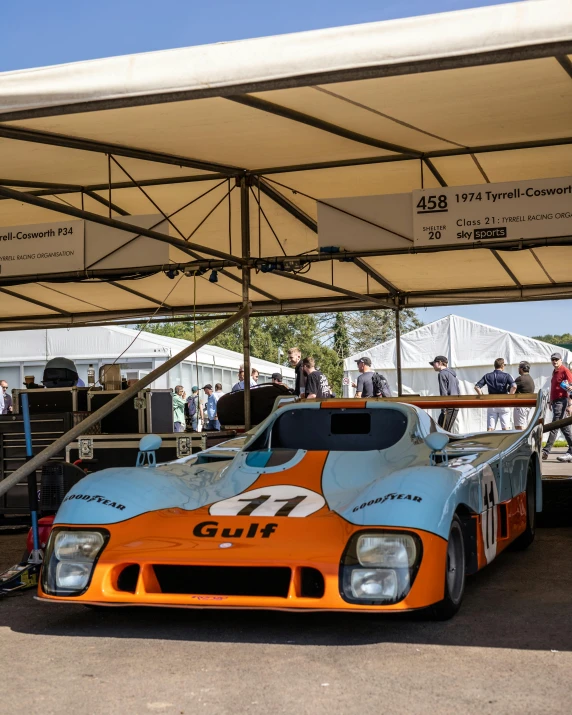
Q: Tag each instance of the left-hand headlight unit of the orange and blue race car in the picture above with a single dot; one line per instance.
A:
(70, 558)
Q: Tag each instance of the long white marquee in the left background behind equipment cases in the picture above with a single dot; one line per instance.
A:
(26, 353)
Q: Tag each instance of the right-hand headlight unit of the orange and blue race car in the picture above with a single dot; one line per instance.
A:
(379, 567)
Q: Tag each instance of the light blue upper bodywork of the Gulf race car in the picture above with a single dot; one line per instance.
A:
(395, 487)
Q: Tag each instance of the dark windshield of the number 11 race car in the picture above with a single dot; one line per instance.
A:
(345, 430)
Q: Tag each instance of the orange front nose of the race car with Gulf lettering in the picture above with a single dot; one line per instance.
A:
(174, 537)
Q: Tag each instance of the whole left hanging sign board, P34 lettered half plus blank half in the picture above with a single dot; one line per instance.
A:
(67, 246)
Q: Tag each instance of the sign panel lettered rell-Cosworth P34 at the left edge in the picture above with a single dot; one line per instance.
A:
(42, 248)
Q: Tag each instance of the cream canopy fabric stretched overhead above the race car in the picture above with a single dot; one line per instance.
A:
(461, 98)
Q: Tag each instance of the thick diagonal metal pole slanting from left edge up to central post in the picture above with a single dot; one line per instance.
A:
(61, 443)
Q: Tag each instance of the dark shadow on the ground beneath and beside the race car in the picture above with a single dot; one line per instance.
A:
(521, 601)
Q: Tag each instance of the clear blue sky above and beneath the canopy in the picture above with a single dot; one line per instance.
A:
(67, 31)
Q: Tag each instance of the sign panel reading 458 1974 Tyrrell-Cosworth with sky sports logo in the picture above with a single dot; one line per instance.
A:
(510, 211)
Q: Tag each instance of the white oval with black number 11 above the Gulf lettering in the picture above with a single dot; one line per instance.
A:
(275, 500)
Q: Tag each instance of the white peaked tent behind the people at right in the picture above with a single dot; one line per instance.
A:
(471, 348)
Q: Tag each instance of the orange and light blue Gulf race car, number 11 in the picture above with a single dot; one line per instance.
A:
(347, 505)
